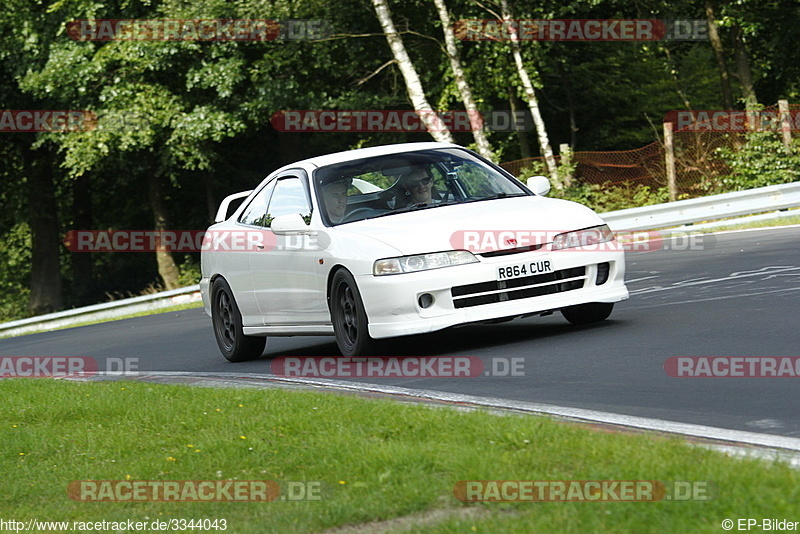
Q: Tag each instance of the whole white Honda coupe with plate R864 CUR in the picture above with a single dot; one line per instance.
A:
(397, 240)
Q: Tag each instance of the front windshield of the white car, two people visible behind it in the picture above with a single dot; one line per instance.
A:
(396, 183)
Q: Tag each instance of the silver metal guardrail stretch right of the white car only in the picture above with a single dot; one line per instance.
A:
(736, 204)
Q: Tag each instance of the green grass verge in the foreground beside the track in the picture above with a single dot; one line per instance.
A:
(375, 460)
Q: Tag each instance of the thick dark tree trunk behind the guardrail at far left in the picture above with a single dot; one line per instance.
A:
(46, 284)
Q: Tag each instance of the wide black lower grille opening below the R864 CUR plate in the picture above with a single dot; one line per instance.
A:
(517, 288)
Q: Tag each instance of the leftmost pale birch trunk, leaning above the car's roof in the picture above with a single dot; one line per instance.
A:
(435, 126)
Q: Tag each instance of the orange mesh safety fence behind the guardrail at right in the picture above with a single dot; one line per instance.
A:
(698, 166)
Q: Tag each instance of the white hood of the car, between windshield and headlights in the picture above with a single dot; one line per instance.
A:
(442, 228)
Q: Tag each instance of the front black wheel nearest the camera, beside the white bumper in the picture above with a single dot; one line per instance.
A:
(349, 318)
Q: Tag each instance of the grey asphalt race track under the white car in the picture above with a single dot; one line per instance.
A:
(736, 295)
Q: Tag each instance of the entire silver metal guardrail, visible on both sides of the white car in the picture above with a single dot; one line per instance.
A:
(751, 201)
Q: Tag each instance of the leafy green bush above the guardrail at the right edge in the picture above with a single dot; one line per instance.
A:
(763, 160)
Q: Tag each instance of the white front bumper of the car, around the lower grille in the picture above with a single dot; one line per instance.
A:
(393, 302)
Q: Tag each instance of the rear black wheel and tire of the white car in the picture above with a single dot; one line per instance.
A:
(227, 321)
